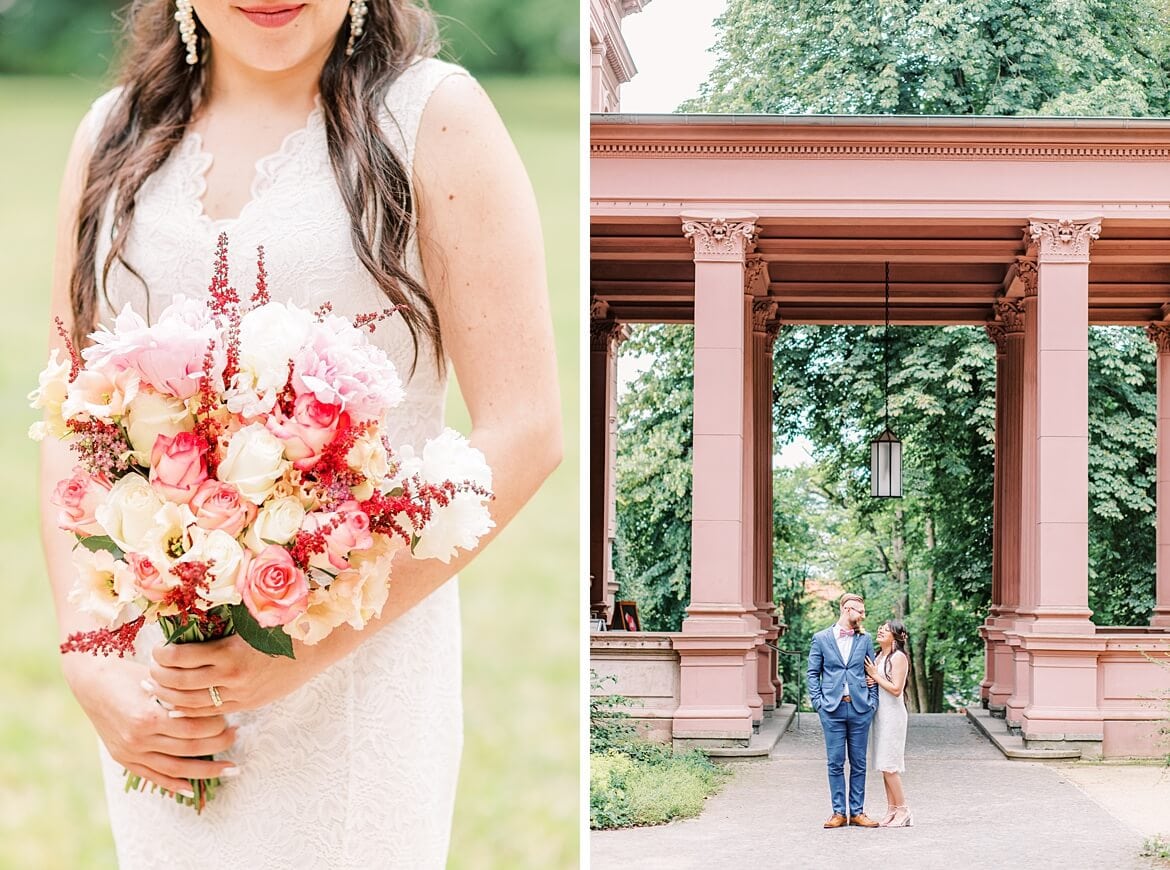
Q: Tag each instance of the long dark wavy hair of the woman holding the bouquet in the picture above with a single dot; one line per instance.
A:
(161, 93)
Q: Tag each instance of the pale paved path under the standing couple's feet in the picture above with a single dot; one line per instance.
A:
(973, 809)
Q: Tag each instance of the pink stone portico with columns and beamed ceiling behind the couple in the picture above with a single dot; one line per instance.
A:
(1034, 229)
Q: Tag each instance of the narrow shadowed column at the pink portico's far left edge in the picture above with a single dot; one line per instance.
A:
(605, 335)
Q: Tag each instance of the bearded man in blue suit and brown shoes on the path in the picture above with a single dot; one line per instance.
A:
(846, 702)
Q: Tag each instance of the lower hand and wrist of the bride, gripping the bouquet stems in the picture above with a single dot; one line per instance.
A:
(137, 731)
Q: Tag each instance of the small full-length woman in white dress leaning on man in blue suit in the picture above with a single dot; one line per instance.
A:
(889, 731)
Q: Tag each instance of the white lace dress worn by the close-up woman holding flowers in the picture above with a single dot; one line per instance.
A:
(357, 769)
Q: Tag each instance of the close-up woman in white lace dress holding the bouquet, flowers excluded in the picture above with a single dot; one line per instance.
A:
(374, 175)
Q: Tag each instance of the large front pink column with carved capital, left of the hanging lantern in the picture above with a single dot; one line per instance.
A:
(718, 646)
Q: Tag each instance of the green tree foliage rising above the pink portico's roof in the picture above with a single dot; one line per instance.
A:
(941, 58)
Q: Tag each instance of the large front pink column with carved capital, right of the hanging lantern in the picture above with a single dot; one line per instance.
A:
(1062, 639)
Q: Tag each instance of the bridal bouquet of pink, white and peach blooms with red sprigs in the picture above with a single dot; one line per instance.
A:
(235, 475)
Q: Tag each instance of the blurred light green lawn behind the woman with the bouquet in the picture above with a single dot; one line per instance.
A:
(519, 791)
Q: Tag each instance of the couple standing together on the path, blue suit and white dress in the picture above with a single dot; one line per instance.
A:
(851, 689)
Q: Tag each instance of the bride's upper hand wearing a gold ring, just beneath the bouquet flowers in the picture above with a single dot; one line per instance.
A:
(244, 679)
